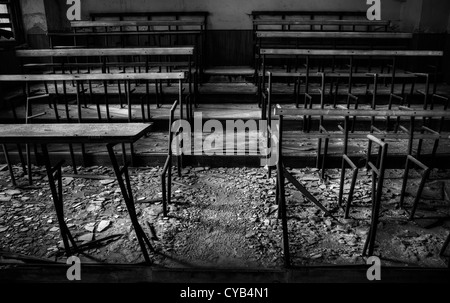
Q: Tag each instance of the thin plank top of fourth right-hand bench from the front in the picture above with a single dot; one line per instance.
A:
(322, 22)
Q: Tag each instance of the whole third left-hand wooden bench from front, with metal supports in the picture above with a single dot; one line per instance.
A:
(169, 59)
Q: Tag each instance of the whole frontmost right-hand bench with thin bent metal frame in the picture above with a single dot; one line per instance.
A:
(373, 137)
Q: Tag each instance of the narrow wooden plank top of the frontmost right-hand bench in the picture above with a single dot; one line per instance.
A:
(361, 113)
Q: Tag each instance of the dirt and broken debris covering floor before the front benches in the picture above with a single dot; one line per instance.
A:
(224, 217)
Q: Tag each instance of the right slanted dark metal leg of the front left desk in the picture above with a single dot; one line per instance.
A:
(125, 187)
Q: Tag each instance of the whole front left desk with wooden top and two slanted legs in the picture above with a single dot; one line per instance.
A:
(109, 134)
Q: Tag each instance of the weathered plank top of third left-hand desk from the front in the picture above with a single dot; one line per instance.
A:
(91, 52)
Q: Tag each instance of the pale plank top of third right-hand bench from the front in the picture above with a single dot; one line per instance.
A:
(333, 35)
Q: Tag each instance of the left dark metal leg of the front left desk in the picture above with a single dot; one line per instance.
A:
(54, 175)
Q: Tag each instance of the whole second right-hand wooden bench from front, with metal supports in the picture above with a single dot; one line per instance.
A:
(302, 58)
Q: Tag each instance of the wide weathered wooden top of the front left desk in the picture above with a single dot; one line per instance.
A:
(73, 133)
